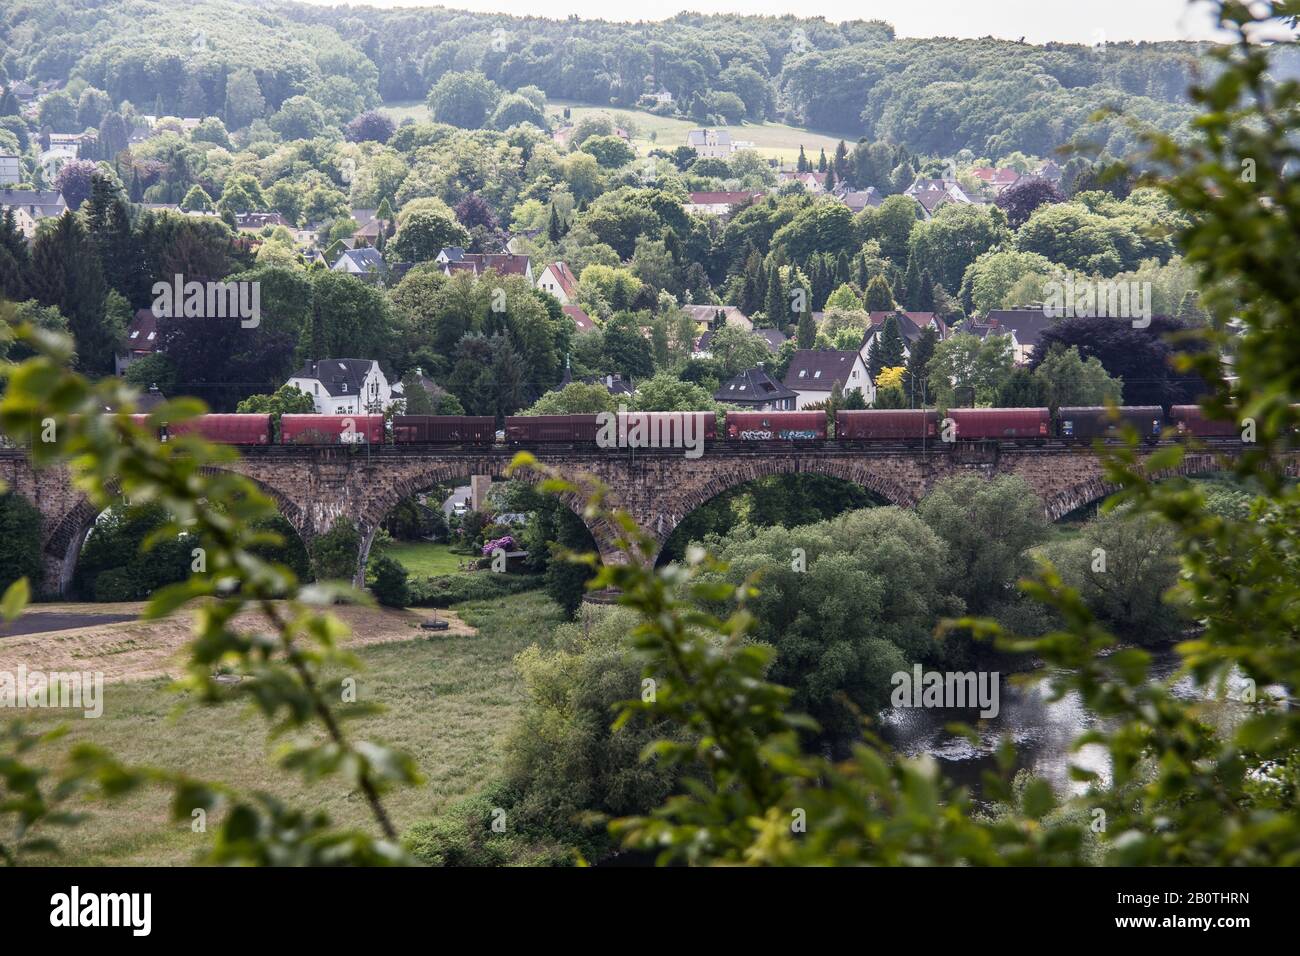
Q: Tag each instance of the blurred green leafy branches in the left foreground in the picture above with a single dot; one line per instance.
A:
(281, 664)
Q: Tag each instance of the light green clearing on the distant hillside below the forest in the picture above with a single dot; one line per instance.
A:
(774, 140)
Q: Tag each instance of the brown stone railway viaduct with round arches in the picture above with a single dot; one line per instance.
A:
(313, 487)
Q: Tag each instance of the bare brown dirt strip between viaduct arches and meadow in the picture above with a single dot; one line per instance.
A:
(137, 650)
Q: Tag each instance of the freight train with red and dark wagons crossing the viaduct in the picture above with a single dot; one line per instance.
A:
(895, 427)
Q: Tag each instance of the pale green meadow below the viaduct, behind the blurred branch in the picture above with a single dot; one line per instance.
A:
(448, 700)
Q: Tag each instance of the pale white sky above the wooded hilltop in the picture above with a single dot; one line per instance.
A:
(1038, 21)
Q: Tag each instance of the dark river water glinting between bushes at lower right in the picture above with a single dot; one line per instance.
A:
(1042, 730)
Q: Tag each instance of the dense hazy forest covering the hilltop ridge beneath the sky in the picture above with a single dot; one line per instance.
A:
(852, 80)
